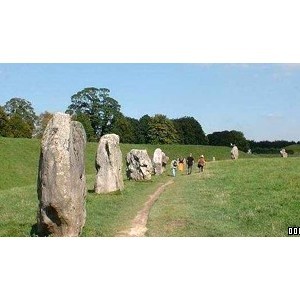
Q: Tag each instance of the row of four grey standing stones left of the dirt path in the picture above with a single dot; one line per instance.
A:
(61, 185)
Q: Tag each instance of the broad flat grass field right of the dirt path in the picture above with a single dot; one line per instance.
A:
(255, 197)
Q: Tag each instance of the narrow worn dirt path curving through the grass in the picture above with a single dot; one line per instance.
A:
(138, 225)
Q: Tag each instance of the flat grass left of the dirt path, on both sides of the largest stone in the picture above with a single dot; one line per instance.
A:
(107, 215)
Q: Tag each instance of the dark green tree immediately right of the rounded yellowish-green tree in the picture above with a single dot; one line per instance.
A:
(190, 131)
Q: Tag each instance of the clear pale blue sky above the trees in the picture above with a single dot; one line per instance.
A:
(261, 100)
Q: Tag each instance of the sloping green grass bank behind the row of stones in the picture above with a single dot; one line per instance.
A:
(19, 158)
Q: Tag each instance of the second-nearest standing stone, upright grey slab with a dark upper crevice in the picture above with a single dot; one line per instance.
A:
(109, 164)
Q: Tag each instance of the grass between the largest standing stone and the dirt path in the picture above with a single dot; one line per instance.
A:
(108, 215)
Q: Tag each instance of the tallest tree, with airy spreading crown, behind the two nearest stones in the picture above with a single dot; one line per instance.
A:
(98, 106)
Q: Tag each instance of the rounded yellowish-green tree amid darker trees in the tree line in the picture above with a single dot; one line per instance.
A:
(162, 130)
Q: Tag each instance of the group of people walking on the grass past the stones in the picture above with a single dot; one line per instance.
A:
(189, 162)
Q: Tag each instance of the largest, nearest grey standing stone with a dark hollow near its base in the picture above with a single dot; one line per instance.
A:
(61, 178)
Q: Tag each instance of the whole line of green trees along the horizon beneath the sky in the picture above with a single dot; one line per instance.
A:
(100, 114)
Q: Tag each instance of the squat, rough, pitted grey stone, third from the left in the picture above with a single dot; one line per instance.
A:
(139, 165)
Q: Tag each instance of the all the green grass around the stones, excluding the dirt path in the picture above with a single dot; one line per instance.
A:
(252, 196)
